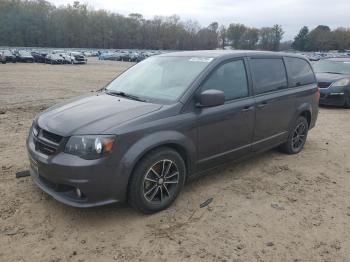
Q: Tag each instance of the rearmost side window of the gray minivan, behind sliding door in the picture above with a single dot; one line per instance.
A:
(299, 72)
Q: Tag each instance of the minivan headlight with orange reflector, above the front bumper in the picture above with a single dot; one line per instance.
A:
(89, 146)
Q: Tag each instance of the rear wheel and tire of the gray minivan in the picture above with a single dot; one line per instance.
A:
(297, 137)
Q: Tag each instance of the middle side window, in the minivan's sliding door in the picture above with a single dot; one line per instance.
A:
(269, 74)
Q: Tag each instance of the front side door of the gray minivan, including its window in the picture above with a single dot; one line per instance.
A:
(225, 132)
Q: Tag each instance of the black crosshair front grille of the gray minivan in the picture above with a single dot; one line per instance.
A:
(46, 142)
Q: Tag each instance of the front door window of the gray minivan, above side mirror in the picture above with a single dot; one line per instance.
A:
(231, 78)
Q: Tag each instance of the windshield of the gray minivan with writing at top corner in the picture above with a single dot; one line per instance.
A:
(160, 79)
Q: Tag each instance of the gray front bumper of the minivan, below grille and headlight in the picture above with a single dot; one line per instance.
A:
(62, 174)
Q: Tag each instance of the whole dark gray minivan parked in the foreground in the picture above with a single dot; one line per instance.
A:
(167, 119)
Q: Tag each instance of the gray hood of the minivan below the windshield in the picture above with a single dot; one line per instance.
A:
(92, 114)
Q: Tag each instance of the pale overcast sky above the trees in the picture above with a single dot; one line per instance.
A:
(291, 14)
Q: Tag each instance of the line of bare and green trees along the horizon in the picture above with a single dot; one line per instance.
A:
(38, 23)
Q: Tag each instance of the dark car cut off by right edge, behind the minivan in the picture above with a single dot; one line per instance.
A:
(333, 76)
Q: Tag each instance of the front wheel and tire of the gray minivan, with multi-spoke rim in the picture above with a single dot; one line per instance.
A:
(156, 180)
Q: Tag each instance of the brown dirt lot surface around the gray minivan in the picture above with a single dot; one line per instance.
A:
(273, 207)
